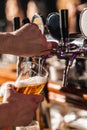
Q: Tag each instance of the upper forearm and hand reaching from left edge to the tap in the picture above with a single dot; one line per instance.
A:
(27, 41)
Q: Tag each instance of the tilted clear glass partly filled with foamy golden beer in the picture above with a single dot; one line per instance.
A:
(31, 79)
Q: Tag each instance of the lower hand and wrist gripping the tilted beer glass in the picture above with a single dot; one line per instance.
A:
(17, 109)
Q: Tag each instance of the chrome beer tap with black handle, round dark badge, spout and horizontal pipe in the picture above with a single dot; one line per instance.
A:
(68, 50)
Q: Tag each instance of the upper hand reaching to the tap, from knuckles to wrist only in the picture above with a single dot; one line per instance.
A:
(29, 41)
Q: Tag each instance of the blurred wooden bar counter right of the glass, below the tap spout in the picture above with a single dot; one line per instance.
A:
(75, 96)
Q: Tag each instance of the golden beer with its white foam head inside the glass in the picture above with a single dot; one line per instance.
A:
(33, 85)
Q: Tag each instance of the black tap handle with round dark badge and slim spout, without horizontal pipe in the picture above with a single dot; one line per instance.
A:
(62, 33)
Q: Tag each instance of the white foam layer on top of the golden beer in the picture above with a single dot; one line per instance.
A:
(31, 81)
